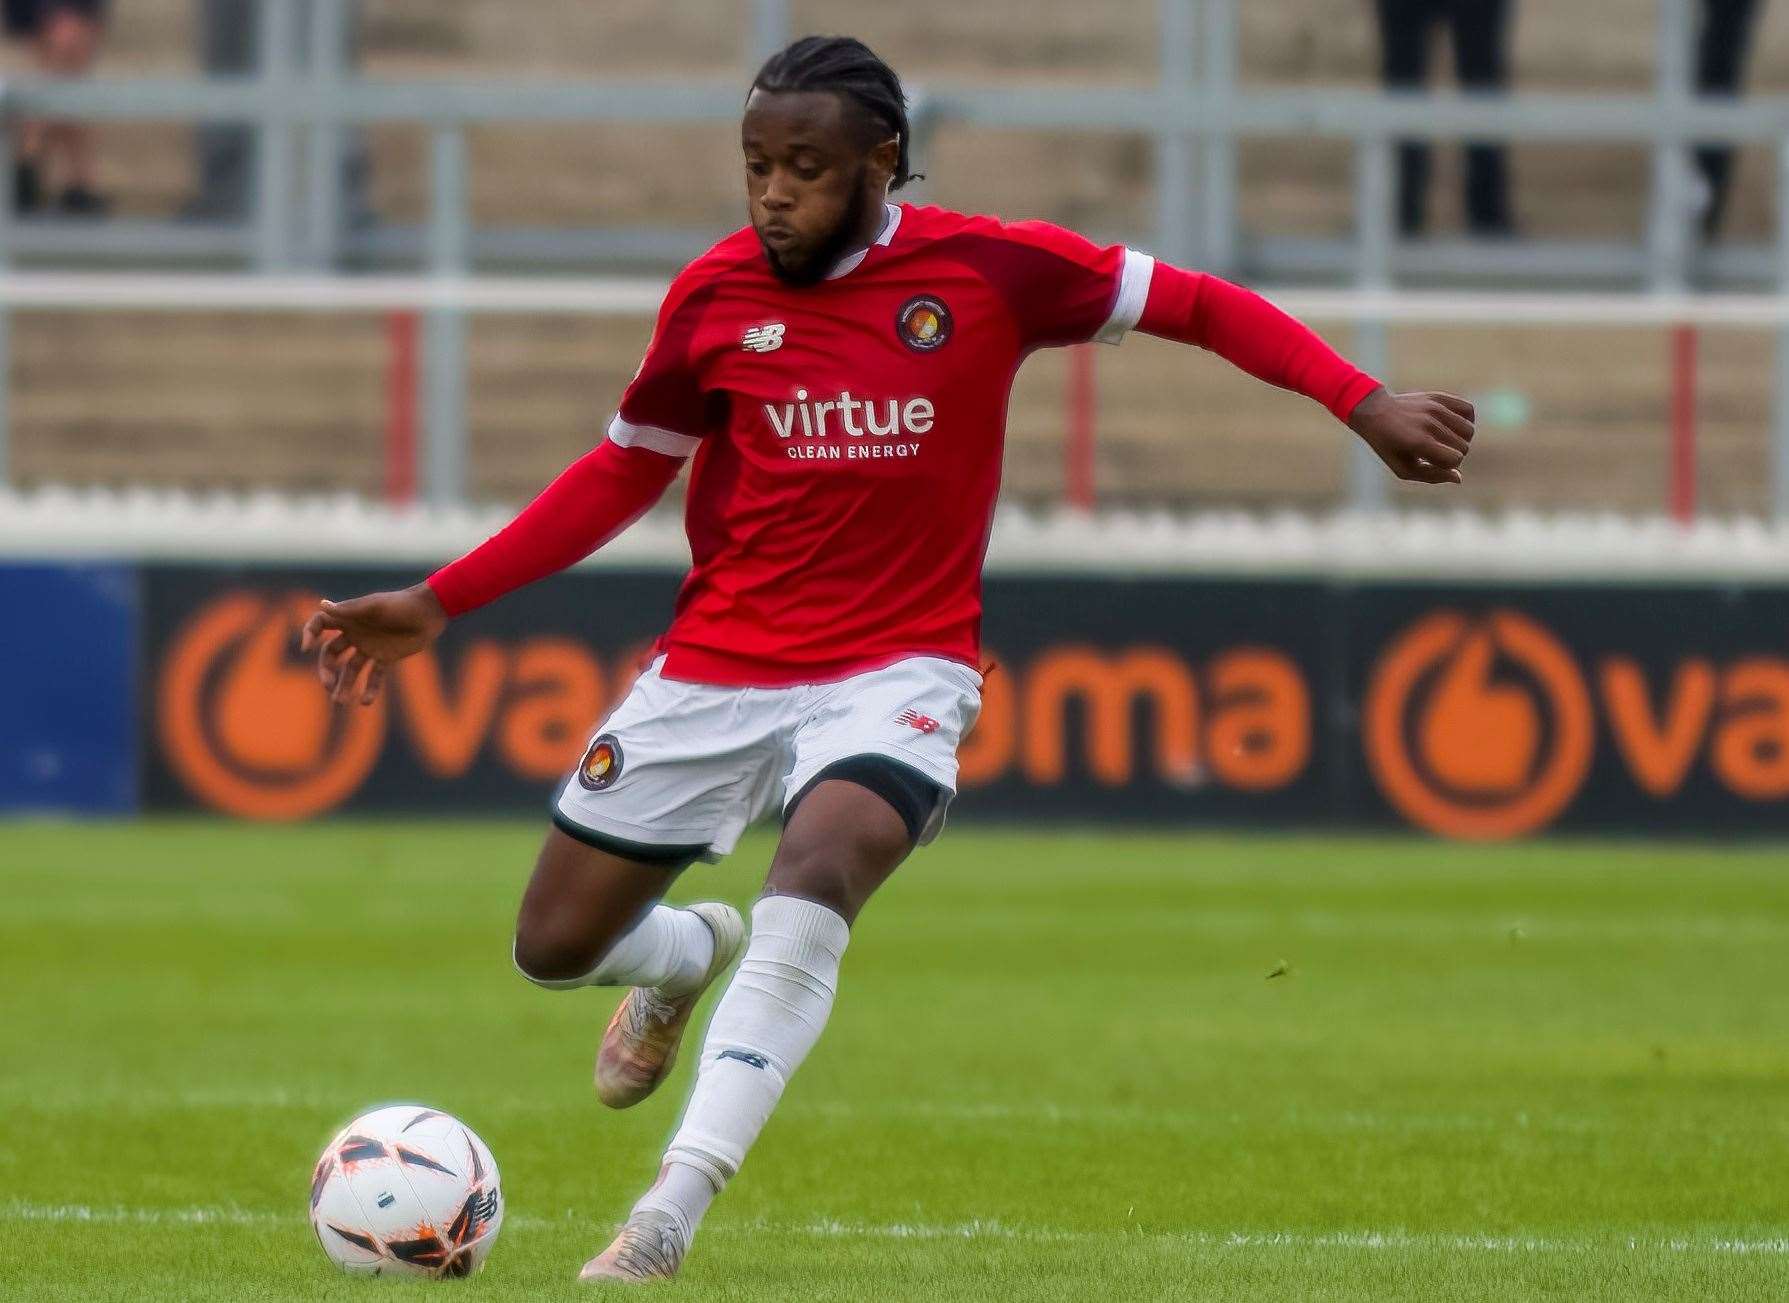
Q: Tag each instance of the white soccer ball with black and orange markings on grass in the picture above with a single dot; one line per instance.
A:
(407, 1191)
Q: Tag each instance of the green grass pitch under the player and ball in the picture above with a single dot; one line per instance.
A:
(1058, 1069)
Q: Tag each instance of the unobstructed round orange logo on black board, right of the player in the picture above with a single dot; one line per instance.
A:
(1479, 726)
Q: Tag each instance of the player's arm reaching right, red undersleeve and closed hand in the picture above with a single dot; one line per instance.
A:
(1421, 438)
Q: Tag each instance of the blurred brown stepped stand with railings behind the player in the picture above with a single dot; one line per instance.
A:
(293, 103)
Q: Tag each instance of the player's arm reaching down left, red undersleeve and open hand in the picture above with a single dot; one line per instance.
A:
(595, 498)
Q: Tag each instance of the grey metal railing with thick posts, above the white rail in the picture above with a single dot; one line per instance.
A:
(1196, 115)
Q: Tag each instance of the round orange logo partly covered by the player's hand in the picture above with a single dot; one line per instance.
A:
(244, 720)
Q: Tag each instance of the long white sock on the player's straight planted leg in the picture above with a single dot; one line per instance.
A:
(763, 1028)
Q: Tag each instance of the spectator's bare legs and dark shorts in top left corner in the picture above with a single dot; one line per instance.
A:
(64, 37)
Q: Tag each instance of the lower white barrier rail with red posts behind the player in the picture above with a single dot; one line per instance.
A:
(428, 447)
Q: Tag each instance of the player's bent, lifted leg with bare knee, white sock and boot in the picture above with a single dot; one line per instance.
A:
(591, 917)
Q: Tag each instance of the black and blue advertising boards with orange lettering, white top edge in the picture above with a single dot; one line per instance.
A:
(1573, 676)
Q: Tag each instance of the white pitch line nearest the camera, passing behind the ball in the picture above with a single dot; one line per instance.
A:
(971, 1231)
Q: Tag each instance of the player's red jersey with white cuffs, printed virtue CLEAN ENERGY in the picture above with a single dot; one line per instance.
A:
(847, 436)
